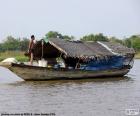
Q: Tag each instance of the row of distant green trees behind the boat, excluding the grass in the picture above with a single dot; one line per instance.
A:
(21, 44)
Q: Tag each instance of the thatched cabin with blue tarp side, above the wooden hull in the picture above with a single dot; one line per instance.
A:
(83, 55)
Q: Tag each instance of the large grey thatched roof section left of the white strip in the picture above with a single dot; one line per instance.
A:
(79, 49)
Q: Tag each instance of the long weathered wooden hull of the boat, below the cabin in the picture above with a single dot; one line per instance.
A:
(28, 72)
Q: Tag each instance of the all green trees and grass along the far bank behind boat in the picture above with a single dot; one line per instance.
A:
(15, 47)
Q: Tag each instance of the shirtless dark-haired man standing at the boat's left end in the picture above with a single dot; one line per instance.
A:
(31, 49)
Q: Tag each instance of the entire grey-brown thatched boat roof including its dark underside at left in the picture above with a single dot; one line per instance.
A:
(78, 49)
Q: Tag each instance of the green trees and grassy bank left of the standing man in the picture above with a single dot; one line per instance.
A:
(14, 47)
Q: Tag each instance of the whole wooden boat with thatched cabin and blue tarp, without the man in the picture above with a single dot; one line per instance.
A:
(79, 59)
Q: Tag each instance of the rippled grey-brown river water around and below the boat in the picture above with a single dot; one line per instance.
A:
(86, 97)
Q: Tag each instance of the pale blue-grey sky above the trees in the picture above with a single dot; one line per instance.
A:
(21, 18)
